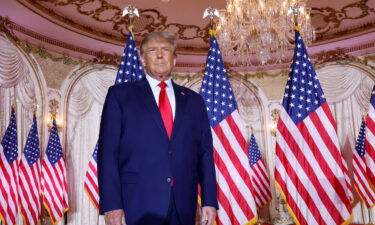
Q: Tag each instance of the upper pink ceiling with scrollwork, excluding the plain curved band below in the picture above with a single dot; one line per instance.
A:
(102, 18)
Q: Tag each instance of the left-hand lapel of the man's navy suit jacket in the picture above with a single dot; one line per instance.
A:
(147, 98)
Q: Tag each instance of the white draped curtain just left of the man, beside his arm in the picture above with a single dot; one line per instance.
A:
(85, 104)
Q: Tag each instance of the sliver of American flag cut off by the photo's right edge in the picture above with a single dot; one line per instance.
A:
(370, 140)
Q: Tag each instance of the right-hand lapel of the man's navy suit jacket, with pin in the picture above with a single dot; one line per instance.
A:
(180, 97)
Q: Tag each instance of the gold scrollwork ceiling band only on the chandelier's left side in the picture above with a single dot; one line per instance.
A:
(149, 20)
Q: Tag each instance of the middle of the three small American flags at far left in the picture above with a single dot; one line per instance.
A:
(29, 178)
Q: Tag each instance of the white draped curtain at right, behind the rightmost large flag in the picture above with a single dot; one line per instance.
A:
(348, 89)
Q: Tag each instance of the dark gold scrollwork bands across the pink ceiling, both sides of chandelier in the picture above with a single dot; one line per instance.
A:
(330, 20)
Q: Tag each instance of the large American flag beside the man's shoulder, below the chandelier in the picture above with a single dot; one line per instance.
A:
(235, 191)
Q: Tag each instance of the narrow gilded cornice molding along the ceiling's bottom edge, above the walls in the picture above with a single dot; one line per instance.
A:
(8, 27)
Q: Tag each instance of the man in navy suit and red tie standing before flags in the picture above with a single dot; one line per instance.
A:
(155, 147)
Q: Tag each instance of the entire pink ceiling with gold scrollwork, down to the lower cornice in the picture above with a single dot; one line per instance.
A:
(95, 29)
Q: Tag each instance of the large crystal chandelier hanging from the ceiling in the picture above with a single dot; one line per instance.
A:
(260, 32)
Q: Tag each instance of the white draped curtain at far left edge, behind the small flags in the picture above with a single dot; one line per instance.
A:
(19, 86)
